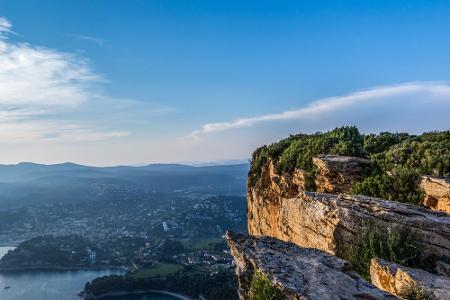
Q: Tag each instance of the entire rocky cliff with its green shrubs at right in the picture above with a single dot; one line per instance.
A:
(297, 235)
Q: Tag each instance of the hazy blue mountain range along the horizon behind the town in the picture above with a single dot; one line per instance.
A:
(29, 183)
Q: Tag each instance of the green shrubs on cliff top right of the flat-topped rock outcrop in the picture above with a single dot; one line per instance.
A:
(398, 160)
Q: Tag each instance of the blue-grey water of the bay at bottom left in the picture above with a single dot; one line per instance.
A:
(56, 285)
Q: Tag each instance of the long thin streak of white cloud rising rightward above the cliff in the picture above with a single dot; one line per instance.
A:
(416, 91)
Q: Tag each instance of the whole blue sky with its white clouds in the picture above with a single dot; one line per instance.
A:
(130, 82)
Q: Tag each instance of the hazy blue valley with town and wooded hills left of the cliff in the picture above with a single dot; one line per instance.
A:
(145, 234)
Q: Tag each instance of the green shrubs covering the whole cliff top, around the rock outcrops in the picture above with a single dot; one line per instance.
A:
(398, 159)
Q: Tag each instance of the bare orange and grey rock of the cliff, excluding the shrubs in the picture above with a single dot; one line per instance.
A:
(333, 222)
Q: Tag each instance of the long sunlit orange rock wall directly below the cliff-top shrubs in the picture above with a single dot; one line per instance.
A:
(332, 222)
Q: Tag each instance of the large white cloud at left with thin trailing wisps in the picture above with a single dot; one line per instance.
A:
(52, 96)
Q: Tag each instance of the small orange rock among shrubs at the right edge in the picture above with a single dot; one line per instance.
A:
(437, 193)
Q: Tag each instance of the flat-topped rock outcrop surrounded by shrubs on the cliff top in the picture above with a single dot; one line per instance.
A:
(337, 174)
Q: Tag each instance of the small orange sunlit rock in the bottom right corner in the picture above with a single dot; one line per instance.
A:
(395, 279)
